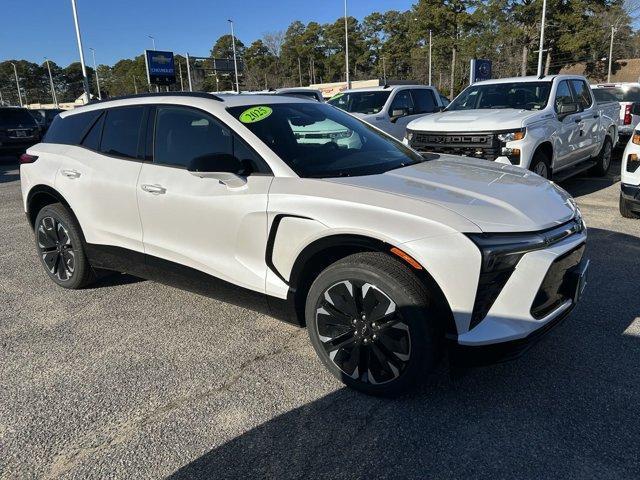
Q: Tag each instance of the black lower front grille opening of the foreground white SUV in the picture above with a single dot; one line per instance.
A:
(555, 288)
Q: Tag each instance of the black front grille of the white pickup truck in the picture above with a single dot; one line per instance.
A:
(480, 145)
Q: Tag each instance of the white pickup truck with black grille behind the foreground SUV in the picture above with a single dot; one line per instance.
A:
(551, 125)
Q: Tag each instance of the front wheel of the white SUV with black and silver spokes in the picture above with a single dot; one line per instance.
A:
(372, 323)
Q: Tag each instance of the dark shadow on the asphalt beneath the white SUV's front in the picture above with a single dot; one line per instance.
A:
(568, 408)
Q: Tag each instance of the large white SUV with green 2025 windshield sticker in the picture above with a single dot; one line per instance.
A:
(386, 256)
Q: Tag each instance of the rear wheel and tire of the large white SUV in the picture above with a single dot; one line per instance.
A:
(60, 246)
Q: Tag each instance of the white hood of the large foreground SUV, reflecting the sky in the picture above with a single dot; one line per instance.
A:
(495, 197)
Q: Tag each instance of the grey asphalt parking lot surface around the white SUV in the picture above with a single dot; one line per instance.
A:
(137, 379)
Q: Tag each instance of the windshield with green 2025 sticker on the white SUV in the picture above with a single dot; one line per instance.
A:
(319, 141)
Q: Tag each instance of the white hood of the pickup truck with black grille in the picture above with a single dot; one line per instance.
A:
(473, 120)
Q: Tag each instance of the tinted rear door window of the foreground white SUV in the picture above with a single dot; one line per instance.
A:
(121, 132)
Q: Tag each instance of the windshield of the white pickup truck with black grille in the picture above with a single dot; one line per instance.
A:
(518, 95)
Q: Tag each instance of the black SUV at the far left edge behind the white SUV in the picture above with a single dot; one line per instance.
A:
(18, 130)
